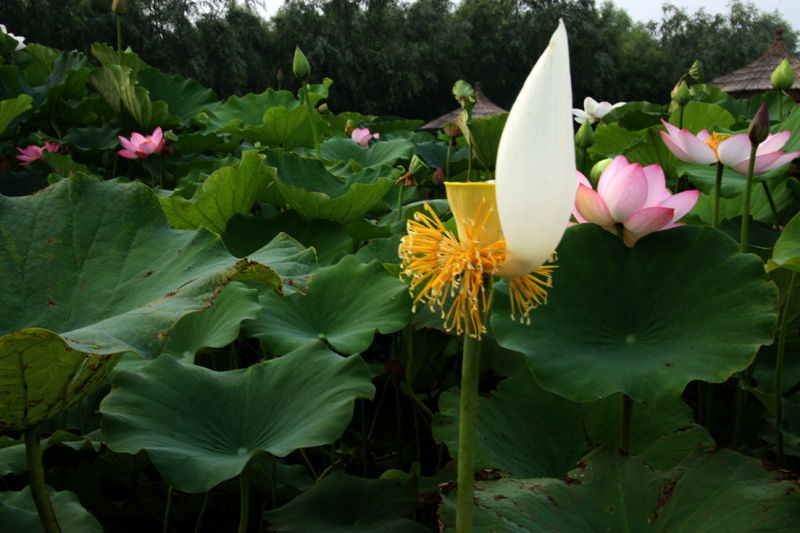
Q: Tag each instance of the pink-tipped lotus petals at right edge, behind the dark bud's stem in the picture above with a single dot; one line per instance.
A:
(735, 153)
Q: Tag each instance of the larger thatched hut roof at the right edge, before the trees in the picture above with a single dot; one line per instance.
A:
(755, 78)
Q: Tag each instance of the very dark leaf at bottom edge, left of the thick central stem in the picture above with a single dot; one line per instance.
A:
(344, 504)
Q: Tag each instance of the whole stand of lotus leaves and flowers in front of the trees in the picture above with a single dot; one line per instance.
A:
(258, 314)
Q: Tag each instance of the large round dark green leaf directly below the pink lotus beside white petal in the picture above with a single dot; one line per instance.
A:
(681, 305)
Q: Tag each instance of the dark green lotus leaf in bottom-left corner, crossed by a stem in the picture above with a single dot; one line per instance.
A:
(18, 513)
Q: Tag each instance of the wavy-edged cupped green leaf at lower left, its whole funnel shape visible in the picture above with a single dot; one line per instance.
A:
(201, 427)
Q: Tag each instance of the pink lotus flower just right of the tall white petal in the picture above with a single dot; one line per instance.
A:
(636, 198)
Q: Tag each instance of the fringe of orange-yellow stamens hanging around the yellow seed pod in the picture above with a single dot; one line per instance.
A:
(441, 268)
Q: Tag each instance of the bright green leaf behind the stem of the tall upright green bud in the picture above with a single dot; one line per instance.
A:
(286, 129)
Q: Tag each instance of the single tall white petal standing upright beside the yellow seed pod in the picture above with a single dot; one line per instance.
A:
(535, 175)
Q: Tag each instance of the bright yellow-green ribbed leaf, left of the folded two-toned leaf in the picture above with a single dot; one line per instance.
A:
(228, 191)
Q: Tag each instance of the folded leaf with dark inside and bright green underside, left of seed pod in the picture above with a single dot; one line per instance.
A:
(316, 194)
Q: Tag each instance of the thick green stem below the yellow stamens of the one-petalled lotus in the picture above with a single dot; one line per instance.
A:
(467, 433)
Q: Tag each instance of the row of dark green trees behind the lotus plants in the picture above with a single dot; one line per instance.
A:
(401, 58)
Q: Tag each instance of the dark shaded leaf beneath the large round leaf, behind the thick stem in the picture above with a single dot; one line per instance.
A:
(528, 432)
